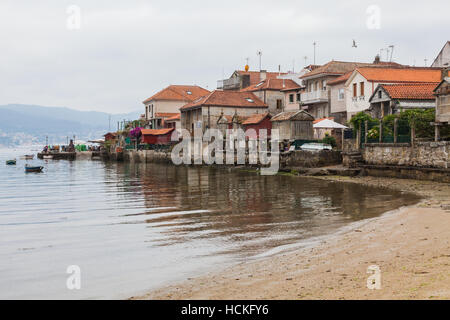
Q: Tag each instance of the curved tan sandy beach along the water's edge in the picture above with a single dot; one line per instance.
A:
(411, 246)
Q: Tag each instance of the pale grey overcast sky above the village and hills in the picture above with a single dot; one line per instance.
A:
(125, 51)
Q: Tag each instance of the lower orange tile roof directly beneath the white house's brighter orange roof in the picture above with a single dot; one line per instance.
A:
(410, 91)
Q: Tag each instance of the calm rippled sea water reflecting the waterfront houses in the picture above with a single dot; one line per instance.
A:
(133, 227)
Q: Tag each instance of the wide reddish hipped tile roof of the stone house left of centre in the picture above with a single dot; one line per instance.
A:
(227, 99)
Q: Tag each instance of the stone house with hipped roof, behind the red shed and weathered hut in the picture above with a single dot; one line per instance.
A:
(272, 92)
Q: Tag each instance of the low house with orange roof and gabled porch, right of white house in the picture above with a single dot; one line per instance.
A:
(394, 98)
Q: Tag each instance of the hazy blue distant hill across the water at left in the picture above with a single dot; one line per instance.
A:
(25, 124)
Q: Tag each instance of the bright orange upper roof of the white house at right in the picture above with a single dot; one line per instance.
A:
(401, 74)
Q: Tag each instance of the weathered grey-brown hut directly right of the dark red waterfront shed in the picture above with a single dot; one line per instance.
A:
(294, 125)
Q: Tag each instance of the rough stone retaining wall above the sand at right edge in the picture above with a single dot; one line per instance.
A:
(422, 154)
